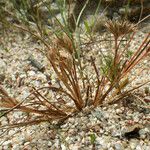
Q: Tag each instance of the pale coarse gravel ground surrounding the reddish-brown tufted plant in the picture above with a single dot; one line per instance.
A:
(115, 127)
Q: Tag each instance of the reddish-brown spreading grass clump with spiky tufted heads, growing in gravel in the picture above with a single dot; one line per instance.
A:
(65, 57)
